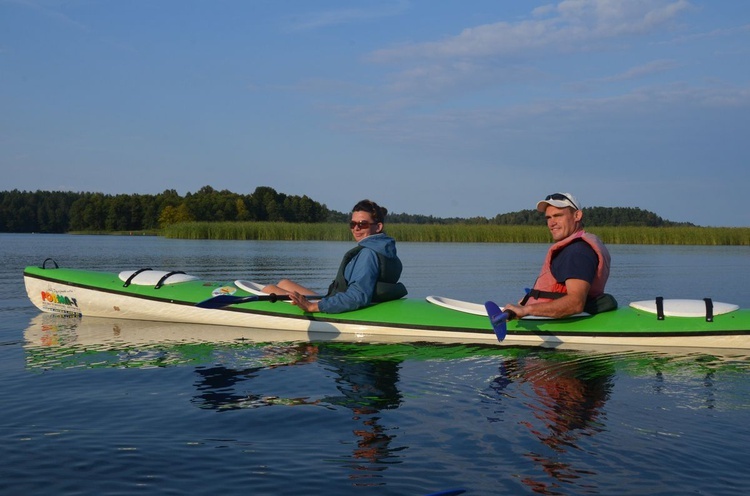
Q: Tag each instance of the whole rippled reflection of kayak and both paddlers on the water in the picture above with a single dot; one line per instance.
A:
(558, 400)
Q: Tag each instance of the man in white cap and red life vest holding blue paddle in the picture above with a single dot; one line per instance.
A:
(575, 269)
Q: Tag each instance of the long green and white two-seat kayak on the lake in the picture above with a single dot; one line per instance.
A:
(173, 296)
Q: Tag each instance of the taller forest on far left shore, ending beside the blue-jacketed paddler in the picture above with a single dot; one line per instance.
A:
(59, 212)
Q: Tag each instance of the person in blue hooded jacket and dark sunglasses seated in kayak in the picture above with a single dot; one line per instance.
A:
(369, 273)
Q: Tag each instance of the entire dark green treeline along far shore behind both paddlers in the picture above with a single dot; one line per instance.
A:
(59, 212)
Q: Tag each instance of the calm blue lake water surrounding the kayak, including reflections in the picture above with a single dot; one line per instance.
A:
(96, 406)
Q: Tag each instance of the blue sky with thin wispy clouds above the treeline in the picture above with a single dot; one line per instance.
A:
(445, 108)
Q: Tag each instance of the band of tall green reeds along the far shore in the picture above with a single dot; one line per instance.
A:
(456, 233)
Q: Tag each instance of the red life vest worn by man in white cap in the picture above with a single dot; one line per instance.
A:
(546, 282)
